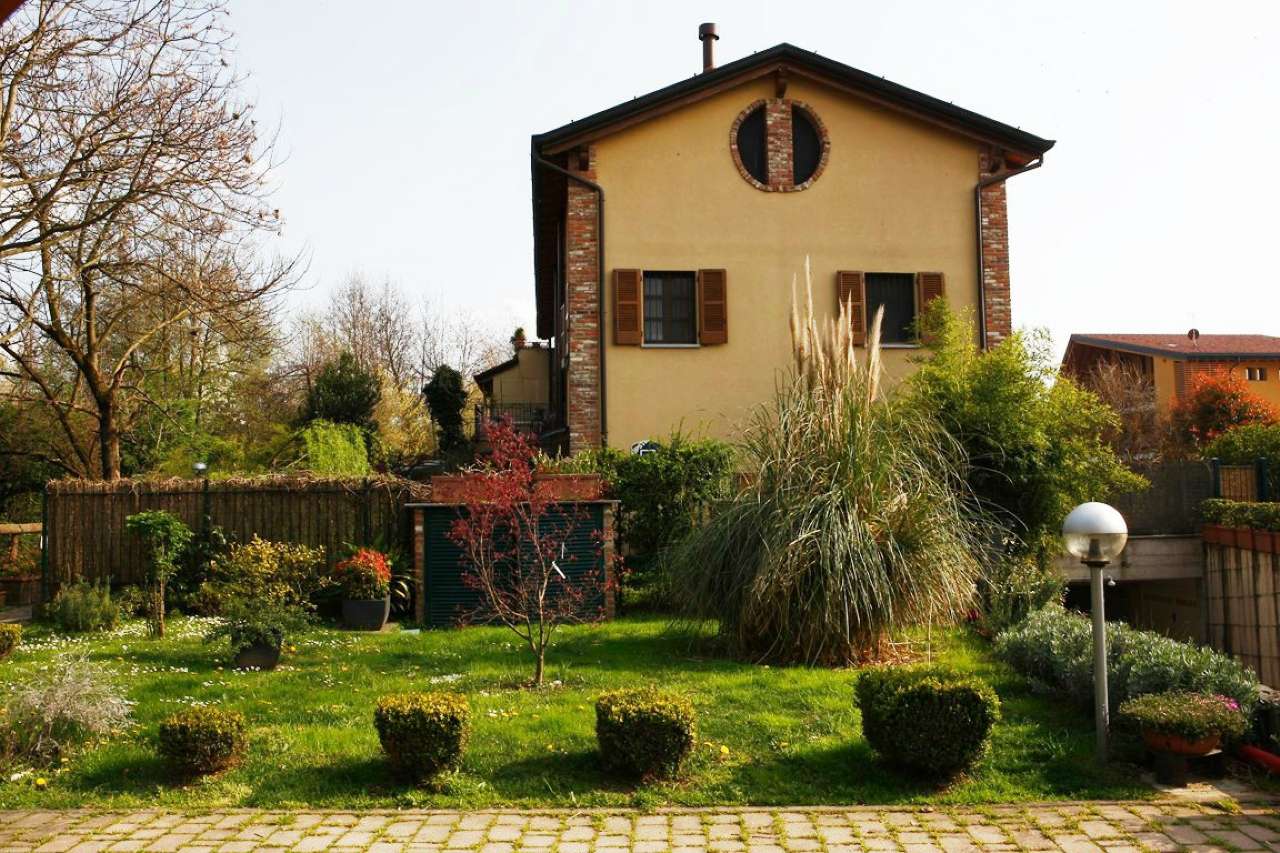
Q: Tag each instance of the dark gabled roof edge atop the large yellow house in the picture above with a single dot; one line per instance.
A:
(804, 63)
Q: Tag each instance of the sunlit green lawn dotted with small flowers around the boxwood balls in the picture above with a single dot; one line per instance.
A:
(776, 736)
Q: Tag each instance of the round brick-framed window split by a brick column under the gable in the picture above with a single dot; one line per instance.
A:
(788, 158)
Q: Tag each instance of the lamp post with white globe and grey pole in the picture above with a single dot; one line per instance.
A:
(1096, 533)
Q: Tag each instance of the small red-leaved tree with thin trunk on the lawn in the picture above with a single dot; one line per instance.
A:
(515, 550)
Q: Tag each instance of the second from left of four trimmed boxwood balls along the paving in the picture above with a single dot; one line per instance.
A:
(423, 735)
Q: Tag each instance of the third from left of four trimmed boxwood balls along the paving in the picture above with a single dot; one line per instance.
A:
(644, 733)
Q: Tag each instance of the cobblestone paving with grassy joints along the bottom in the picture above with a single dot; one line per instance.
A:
(1073, 828)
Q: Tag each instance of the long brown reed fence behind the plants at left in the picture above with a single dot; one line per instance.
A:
(86, 536)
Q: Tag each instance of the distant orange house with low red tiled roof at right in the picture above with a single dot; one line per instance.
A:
(1173, 361)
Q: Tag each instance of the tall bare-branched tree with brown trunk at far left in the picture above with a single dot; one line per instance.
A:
(132, 188)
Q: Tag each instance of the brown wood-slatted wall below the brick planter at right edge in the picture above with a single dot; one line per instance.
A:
(1242, 590)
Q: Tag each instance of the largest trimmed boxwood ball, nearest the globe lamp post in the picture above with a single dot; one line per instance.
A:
(929, 720)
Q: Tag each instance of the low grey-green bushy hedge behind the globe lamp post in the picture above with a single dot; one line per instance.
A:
(1055, 647)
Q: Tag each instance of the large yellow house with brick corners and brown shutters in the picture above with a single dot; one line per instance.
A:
(669, 229)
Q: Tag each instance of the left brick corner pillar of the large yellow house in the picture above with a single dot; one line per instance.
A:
(582, 285)
